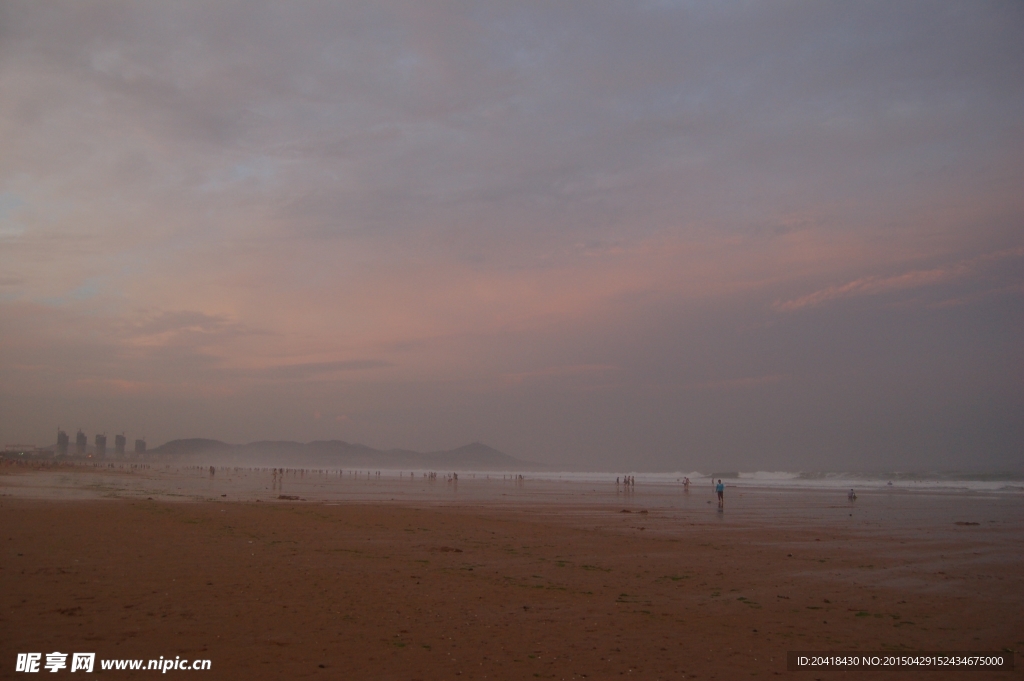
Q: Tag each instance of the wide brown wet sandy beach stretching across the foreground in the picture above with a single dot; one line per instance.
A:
(547, 581)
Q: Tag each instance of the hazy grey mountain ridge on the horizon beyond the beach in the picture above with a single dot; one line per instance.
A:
(337, 454)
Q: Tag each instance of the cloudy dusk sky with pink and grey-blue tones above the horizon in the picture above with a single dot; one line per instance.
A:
(611, 236)
